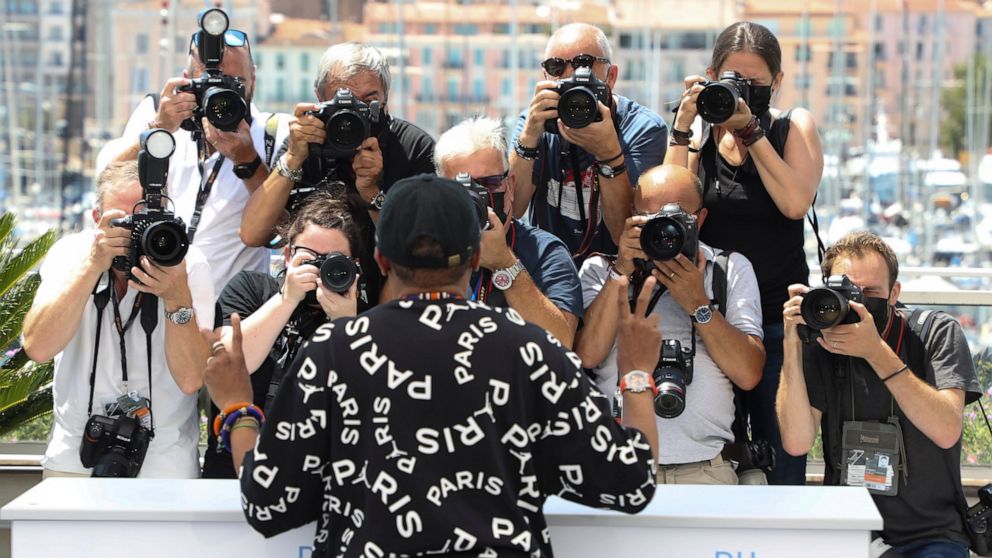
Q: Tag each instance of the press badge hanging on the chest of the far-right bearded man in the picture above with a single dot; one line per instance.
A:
(872, 452)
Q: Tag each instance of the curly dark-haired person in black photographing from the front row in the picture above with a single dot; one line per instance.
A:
(279, 316)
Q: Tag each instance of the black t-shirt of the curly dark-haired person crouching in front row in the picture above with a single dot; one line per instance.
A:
(245, 293)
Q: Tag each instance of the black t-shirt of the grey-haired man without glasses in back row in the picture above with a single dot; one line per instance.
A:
(406, 151)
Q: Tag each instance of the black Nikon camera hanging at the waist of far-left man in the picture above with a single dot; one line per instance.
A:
(114, 446)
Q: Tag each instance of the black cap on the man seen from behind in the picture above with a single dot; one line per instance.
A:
(432, 206)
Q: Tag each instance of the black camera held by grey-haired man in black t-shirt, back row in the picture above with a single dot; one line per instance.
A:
(347, 121)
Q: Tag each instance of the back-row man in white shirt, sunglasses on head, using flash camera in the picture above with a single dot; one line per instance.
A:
(235, 164)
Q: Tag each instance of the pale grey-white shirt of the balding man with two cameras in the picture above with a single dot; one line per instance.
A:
(703, 428)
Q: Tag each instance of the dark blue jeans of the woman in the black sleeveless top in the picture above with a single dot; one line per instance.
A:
(759, 404)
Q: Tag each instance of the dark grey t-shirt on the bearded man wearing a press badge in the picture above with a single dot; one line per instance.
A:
(926, 505)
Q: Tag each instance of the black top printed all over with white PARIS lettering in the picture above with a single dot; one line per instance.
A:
(437, 426)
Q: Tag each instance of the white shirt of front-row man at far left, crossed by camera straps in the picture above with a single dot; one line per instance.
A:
(173, 451)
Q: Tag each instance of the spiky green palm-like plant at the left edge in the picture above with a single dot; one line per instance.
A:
(25, 386)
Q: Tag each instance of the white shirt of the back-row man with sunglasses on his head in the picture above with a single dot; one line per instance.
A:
(217, 233)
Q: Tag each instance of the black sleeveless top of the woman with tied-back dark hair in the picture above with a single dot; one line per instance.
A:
(743, 217)
